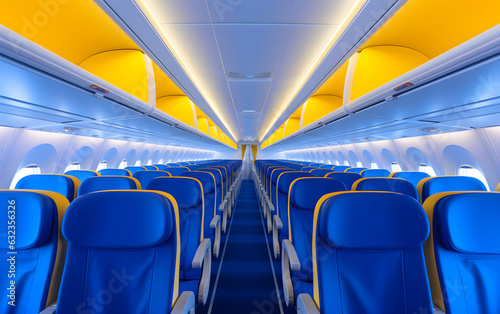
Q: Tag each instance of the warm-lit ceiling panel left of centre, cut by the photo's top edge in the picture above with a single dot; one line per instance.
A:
(176, 11)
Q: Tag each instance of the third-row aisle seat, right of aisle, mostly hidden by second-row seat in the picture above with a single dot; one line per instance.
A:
(280, 216)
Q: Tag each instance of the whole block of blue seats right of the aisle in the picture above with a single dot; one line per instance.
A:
(375, 249)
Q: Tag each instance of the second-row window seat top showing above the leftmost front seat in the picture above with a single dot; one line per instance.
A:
(59, 183)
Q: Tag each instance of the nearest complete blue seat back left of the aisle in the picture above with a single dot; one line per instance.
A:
(127, 255)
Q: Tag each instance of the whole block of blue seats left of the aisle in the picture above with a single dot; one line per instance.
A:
(123, 250)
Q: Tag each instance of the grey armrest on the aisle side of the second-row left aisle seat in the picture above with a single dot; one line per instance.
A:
(203, 257)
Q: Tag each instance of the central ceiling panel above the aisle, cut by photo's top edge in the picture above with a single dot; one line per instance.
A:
(253, 11)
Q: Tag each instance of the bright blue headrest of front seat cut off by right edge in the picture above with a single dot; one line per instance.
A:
(468, 222)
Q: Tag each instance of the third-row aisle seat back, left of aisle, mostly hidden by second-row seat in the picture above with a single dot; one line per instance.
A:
(207, 180)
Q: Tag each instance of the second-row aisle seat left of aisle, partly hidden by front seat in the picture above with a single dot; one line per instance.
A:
(188, 193)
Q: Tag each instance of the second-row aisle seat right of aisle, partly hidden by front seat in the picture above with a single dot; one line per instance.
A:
(304, 194)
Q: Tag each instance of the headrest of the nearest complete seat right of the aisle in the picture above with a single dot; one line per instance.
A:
(372, 220)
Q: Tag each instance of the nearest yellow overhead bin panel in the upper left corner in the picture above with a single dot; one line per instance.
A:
(74, 30)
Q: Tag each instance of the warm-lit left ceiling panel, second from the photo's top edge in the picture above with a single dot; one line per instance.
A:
(189, 40)
